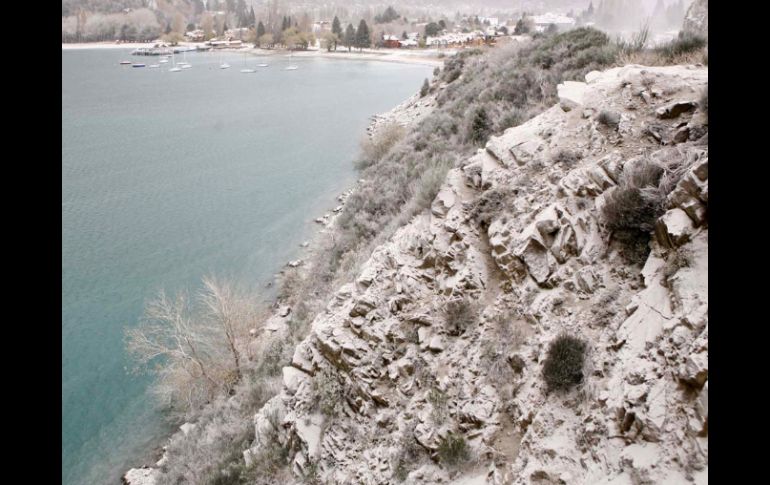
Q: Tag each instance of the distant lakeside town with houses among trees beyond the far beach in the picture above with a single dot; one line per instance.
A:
(233, 25)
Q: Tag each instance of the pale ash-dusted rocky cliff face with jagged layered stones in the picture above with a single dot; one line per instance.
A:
(392, 387)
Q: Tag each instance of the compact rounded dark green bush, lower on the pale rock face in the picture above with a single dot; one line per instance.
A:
(563, 366)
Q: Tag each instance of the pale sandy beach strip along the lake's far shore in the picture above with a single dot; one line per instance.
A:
(428, 57)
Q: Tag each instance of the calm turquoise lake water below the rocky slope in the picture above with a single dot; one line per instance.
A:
(167, 177)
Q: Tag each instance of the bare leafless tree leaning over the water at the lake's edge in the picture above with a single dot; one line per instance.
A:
(193, 345)
